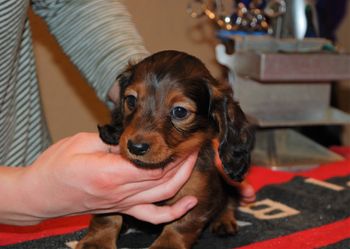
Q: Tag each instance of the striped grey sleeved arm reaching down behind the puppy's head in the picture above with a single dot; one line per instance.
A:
(98, 36)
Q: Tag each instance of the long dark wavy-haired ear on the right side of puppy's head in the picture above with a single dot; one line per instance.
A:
(236, 135)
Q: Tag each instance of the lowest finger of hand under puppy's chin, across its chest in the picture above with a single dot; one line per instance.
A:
(162, 214)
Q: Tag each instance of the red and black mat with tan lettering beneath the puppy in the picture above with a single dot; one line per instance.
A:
(293, 211)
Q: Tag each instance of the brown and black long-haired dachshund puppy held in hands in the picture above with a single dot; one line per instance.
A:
(171, 105)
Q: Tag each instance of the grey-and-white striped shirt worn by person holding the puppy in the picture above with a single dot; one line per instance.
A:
(98, 36)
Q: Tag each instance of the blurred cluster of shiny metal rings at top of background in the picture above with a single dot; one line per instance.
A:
(258, 16)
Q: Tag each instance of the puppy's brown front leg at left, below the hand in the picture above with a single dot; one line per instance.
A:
(103, 232)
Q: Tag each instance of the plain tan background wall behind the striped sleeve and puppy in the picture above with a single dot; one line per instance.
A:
(71, 106)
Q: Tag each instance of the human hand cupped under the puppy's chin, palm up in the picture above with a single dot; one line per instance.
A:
(77, 175)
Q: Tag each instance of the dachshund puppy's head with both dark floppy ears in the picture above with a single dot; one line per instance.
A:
(170, 105)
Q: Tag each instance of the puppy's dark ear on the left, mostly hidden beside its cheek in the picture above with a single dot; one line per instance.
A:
(110, 133)
